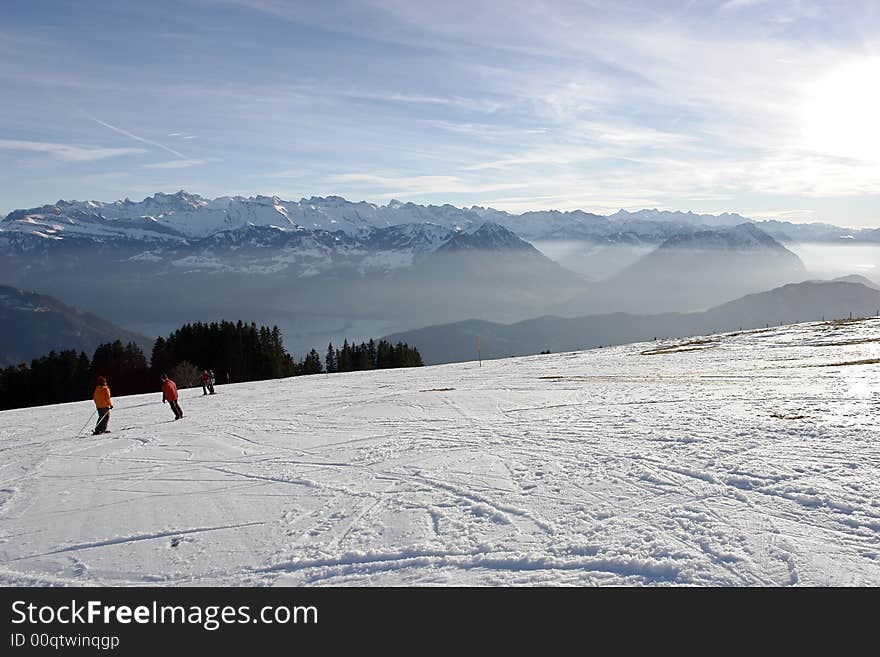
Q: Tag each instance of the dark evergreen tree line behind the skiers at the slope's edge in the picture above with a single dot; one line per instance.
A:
(235, 351)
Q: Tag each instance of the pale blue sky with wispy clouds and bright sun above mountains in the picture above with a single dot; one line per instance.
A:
(766, 108)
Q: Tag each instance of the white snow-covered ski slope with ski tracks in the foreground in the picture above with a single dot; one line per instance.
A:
(738, 459)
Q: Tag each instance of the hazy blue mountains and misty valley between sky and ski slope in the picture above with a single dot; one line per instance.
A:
(326, 269)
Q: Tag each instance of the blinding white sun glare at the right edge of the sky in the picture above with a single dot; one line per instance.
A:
(842, 112)
